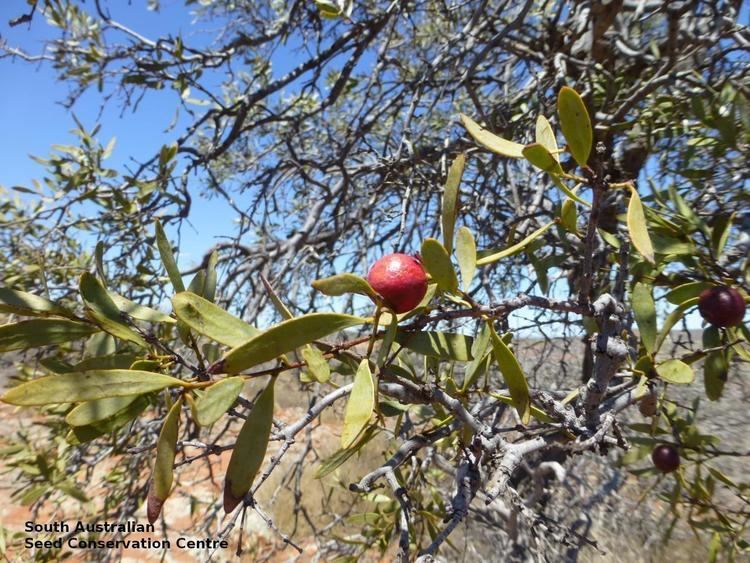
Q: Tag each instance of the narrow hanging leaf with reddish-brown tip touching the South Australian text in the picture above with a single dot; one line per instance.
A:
(161, 476)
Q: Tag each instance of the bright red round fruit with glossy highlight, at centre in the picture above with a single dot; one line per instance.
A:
(400, 280)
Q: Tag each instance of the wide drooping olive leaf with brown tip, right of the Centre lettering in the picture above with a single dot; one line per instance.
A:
(250, 449)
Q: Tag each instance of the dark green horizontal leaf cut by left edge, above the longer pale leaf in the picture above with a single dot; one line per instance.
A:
(42, 332)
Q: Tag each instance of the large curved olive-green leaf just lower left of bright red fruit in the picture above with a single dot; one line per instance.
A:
(282, 338)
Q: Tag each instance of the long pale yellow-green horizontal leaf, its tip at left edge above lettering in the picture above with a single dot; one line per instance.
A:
(89, 385)
